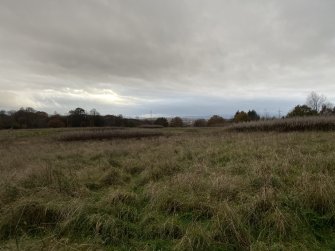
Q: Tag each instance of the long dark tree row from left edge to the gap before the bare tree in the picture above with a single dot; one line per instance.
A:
(26, 118)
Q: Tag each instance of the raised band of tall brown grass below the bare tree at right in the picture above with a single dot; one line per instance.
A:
(287, 125)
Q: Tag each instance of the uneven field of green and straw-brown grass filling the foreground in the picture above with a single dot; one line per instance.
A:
(198, 189)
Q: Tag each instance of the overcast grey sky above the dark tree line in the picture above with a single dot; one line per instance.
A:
(174, 57)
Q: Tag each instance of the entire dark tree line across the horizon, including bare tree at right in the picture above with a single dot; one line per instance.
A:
(316, 105)
